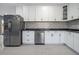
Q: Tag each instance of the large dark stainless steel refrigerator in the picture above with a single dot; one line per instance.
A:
(13, 25)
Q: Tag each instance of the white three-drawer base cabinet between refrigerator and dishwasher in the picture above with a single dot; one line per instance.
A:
(28, 37)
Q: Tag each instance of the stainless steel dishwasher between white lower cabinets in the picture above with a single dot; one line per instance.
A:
(39, 37)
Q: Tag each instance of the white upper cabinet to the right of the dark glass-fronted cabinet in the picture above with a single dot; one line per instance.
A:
(73, 11)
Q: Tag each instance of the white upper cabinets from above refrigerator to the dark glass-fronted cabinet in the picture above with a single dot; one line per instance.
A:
(40, 13)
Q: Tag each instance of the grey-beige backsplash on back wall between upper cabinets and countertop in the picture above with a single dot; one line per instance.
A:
(42, 24)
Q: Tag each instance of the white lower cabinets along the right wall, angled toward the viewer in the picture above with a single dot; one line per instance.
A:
(72, 40)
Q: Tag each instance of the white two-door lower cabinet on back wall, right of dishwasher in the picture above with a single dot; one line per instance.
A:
(54, 37)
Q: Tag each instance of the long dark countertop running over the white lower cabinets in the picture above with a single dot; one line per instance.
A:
(55, 29)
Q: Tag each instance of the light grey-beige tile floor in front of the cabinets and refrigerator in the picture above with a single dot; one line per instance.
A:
(38, 50)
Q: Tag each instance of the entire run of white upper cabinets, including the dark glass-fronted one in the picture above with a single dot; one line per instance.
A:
(49, 13)
